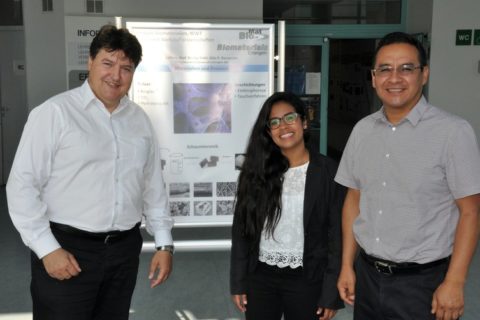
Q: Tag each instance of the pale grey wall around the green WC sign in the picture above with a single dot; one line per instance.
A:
(454, 77)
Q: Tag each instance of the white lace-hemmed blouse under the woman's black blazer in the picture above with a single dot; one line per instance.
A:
(285, 249)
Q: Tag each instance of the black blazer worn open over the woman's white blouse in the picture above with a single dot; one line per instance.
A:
(322, 231)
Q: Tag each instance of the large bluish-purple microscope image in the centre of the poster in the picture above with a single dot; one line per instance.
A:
(202, 108)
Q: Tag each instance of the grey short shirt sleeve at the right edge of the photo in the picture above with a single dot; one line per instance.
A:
(463, 162)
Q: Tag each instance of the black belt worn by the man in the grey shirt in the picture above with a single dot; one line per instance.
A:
(390, 267)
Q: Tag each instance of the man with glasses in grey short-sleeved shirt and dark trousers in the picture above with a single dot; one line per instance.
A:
(412, 209)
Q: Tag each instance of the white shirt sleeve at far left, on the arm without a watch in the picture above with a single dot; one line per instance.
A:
(30, 172)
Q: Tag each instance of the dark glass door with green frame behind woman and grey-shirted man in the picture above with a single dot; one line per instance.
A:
(340, 56)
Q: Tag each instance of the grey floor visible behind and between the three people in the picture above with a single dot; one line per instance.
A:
(197, 289)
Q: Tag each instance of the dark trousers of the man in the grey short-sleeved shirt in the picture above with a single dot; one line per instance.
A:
(381, 296)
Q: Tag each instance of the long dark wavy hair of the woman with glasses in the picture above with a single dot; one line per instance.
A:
(258, 200)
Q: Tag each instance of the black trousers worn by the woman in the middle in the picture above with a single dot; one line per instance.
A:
(274, 291)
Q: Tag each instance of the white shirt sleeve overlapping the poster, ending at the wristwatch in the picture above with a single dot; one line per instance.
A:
(159, 223)
